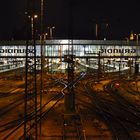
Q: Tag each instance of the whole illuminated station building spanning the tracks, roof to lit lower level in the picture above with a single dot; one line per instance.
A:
(110, 55)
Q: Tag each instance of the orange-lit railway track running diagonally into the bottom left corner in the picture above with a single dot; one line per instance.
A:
(19, 127)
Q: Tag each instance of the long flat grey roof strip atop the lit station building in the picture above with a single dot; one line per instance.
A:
(75, 42)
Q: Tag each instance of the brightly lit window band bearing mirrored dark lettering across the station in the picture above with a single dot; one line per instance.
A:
(56, 50)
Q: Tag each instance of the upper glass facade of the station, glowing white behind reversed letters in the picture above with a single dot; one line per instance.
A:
(62, 47)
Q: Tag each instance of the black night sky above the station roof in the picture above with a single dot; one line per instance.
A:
(78, 20)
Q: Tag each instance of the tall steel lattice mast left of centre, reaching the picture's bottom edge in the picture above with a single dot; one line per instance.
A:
(30, 110)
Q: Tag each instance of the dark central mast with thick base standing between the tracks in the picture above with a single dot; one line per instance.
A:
(69, 58)
